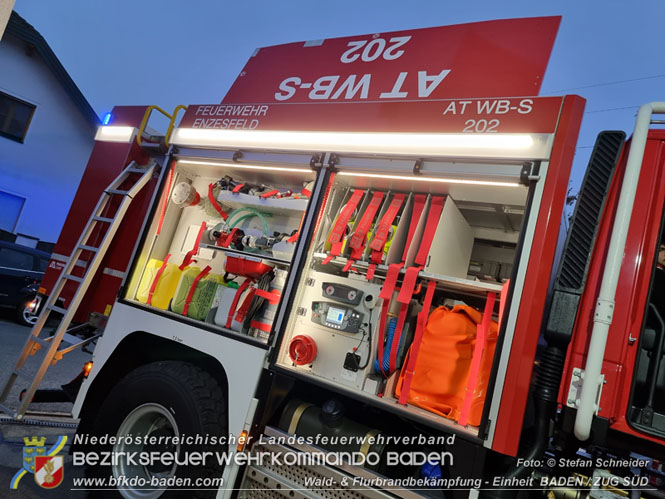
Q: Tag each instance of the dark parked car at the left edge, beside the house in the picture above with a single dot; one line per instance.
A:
(21, 271)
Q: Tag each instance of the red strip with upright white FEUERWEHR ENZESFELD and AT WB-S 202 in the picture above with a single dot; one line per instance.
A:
(514, 115)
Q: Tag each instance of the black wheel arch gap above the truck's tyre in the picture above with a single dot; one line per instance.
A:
(137, 349)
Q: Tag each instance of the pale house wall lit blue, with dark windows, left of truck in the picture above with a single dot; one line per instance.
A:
(47, 130)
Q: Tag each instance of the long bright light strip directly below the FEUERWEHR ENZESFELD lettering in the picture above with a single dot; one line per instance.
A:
(428, 144)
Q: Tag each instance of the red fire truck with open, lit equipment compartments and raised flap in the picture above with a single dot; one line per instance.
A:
(360, 251)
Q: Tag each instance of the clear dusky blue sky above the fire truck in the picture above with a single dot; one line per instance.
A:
(170, 52)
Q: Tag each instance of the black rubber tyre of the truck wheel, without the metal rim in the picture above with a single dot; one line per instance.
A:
(197, 406)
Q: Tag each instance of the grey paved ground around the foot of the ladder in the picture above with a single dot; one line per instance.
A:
(12, 339)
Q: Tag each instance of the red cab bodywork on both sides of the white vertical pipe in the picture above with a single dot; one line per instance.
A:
(632, 288)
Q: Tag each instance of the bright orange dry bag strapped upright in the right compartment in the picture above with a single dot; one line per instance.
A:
(443, 363)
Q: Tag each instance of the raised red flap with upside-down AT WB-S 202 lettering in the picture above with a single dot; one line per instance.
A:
(501, 58)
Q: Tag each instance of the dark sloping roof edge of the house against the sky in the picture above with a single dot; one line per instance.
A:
(22, 30)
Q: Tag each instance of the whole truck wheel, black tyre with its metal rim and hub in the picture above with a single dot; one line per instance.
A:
(163, 399)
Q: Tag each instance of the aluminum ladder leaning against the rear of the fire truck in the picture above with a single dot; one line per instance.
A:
(136, 177)
